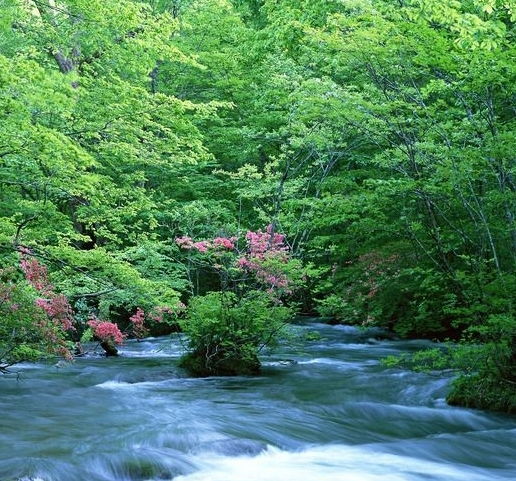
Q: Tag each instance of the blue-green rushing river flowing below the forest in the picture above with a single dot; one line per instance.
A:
(325, 410)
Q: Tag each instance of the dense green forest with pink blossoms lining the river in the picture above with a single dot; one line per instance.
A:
(218, 167)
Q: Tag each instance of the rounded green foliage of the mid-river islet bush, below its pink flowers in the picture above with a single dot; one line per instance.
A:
(225, 333)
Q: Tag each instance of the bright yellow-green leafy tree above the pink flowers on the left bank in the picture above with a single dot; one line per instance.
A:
(86, 143)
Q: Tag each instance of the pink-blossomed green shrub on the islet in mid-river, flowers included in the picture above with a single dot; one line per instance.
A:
(227, 329)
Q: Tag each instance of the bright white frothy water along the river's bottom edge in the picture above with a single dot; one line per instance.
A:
(328, 463)
